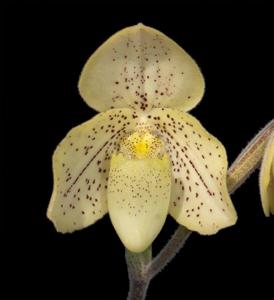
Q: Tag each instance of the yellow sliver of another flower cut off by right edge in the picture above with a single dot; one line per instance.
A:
(266, 178)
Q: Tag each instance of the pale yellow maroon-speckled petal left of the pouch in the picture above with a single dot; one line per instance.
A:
(81, 167)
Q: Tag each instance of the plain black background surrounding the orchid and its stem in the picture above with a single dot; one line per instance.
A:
(45, 46)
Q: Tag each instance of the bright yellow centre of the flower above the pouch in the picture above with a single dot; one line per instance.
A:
(141, 145)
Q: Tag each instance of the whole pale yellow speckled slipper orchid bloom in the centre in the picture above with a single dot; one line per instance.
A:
(143, 156)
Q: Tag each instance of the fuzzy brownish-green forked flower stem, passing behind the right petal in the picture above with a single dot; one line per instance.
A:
(142, 268)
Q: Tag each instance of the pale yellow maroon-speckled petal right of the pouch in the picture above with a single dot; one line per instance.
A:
(199, 199)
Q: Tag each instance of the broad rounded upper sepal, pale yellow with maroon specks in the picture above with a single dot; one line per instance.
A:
(141, 68)
